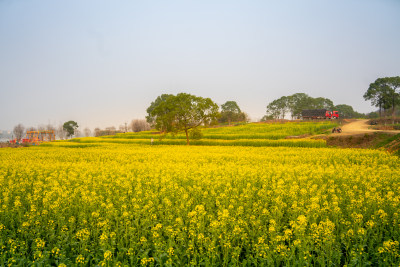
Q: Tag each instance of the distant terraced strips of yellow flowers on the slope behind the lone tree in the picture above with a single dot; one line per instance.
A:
(251, 134)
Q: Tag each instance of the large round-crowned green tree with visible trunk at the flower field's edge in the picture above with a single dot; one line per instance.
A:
(182, 113)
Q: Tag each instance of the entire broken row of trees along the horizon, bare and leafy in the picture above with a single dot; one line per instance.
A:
(185, 113)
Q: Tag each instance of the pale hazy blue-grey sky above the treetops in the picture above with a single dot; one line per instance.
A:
(101, 63)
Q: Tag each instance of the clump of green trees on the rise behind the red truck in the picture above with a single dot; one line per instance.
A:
(292, 106)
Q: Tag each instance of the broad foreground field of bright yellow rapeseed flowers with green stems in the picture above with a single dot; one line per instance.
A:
(131, 205)
